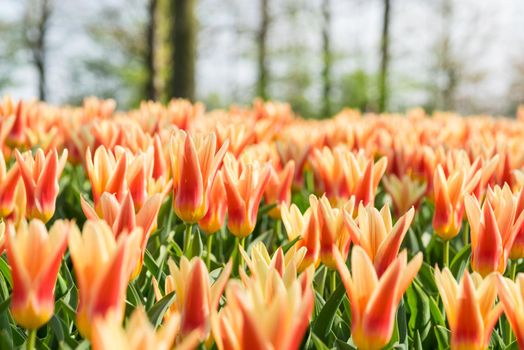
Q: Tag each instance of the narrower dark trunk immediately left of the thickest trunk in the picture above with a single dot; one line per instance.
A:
(149, 88)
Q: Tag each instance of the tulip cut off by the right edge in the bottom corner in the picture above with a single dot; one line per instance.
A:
(511, 295)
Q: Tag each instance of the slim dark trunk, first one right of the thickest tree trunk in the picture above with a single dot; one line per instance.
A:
(262, 50)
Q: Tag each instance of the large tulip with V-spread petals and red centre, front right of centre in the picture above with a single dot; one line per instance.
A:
(374, 299)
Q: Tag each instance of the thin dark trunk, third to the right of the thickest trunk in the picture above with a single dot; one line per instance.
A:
(384, 60)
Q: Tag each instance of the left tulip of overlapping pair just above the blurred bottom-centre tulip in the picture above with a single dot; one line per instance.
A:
(305, 226)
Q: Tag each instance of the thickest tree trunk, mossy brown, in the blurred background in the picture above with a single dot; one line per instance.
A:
(182, 80)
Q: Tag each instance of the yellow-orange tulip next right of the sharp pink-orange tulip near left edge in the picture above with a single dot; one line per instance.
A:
(107, 173)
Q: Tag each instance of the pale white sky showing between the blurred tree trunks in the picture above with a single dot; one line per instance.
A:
(487, 37)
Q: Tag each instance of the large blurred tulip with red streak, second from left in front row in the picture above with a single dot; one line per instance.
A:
(103, 267)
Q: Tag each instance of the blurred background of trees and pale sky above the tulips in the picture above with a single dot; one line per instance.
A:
(318, 55)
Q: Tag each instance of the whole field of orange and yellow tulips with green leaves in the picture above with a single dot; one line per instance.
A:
(176, 227)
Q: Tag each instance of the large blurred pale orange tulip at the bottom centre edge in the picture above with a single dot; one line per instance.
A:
(274, 316)
